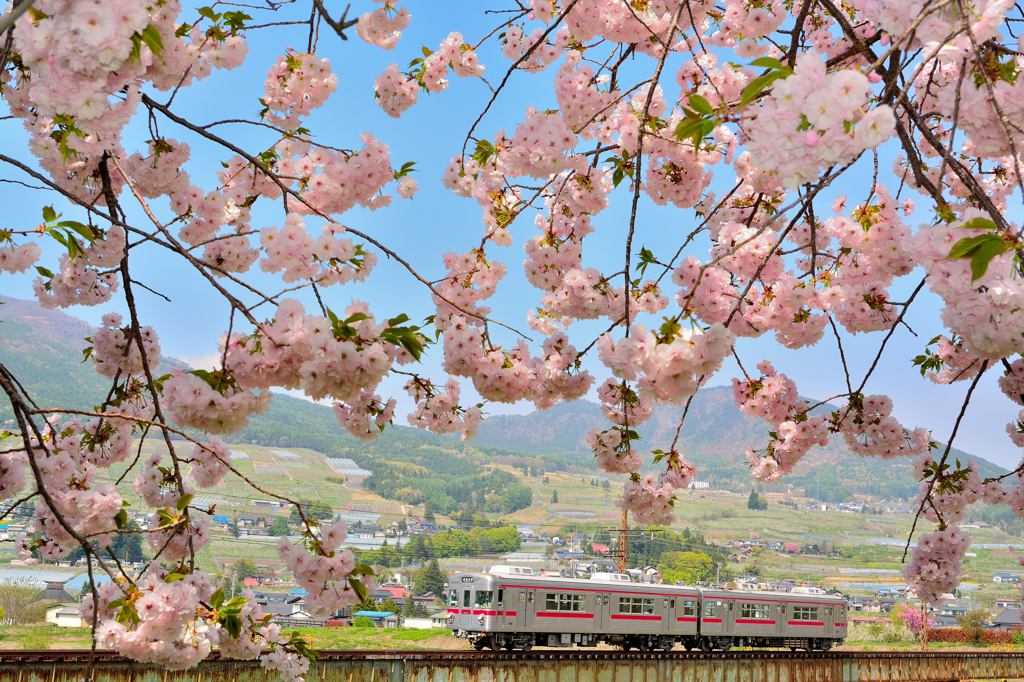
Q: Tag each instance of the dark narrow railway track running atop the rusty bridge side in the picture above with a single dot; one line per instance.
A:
(553, 656)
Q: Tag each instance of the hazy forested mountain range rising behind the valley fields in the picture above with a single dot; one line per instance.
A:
(44, 350)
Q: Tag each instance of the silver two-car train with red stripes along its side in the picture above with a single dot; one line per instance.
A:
(510, 608)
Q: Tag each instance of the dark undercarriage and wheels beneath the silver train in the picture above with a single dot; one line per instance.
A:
(527, 642)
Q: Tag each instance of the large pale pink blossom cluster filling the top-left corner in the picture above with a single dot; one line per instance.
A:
(77, 59)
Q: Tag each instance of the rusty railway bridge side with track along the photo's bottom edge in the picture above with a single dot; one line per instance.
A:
(542, 666)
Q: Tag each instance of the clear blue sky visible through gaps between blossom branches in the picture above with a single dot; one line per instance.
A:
(438, 222)
